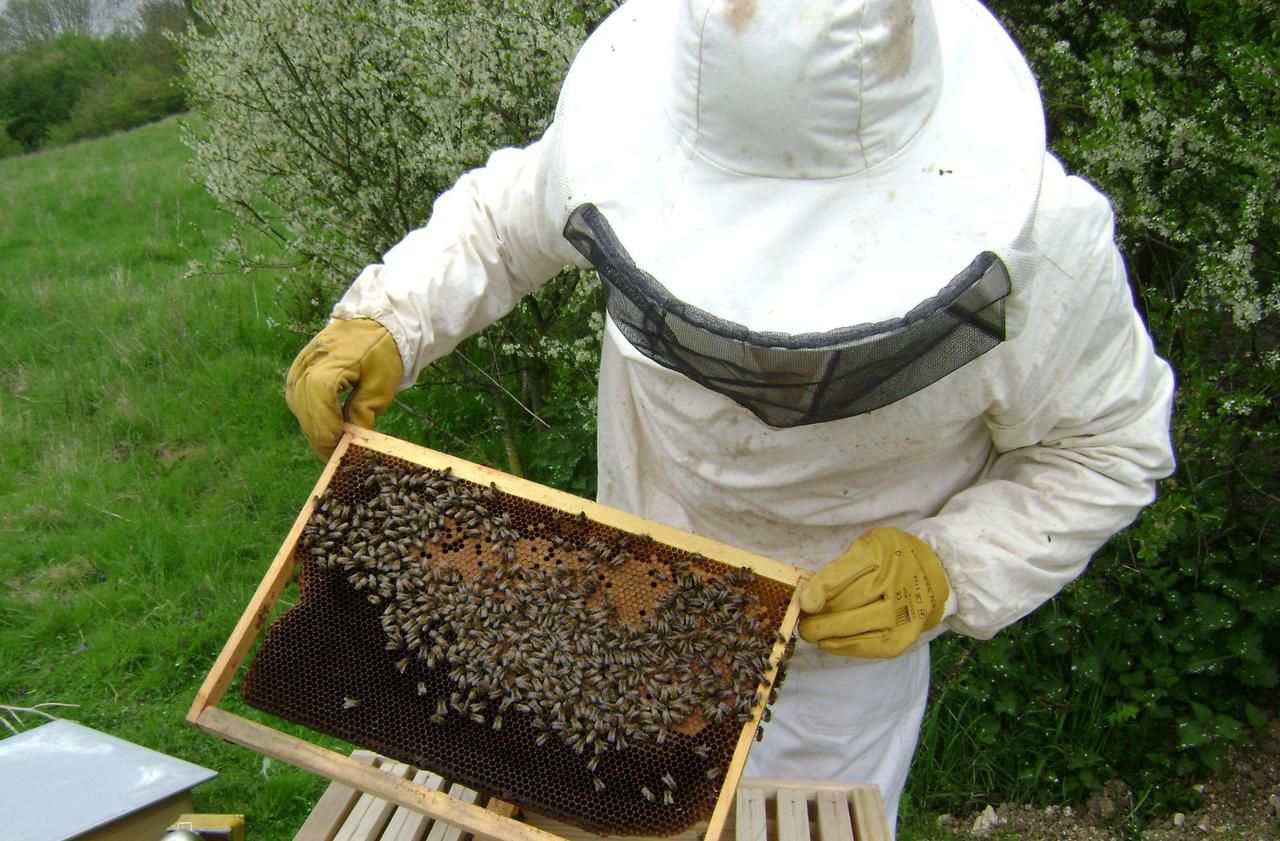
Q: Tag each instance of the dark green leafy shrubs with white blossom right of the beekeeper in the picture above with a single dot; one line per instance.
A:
(1165, 653)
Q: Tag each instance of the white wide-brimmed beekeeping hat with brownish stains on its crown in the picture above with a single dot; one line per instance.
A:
(804, 166)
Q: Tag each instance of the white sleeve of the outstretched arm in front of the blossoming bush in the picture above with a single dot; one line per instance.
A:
(492, 239)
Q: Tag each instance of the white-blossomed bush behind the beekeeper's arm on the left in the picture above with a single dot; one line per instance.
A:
(331, 127)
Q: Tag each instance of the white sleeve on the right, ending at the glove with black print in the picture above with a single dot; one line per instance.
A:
(1081, 438)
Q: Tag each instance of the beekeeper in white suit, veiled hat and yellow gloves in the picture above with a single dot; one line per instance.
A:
(860, 321)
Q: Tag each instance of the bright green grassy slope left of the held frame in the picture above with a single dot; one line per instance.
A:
(149, 468)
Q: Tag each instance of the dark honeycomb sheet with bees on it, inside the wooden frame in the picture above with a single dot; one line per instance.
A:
(584, 673)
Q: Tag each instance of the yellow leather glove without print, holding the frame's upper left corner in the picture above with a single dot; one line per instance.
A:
(356, 354)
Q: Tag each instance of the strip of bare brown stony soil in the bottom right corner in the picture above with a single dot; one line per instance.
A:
(1244, 803)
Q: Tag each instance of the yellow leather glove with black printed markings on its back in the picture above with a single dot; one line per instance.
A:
(877, 598)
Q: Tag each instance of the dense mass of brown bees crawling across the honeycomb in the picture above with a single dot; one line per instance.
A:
(522, 618)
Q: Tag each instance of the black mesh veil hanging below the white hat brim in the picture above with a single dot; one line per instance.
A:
(797, 380)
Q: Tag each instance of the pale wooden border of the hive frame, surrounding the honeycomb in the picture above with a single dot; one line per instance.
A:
(497, 820)
